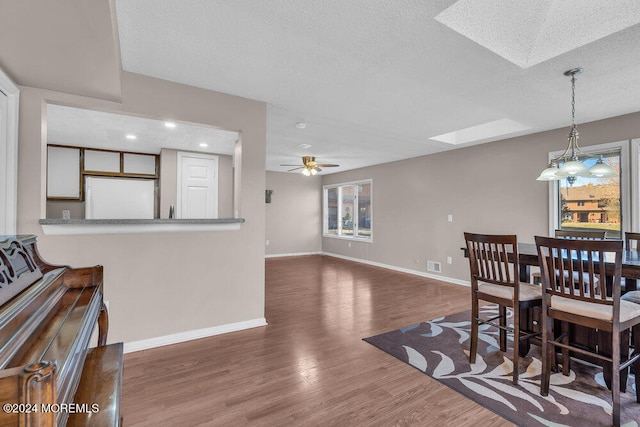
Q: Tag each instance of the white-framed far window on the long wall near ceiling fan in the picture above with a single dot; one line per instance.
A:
(347, 210)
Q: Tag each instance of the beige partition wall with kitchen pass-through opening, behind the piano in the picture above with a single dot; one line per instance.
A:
(160, 284)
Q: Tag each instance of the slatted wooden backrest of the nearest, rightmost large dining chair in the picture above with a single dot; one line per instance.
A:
(576, 269)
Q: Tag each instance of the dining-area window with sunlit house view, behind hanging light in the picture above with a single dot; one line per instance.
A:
(594, 203)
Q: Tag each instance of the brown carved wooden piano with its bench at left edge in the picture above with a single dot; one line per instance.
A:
(48, 374)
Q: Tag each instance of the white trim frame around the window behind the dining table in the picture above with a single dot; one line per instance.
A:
(628, 222)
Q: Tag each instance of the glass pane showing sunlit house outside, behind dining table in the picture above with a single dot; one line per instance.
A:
(593, 203)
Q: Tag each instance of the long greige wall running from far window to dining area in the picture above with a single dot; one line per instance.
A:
(487, 188)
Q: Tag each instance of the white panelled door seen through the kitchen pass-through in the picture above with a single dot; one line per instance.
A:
(197, 186)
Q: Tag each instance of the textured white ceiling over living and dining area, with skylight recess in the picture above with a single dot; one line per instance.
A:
(374, 80)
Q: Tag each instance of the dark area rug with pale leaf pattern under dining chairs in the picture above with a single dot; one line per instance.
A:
(440, 349)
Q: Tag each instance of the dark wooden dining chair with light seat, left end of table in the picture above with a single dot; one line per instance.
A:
(493, 261)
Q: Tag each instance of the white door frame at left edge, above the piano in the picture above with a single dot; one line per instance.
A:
(9, 151)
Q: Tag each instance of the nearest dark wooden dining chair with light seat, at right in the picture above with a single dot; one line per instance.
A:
(587, 305)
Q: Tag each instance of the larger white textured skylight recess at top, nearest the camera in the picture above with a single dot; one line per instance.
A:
(530, 32)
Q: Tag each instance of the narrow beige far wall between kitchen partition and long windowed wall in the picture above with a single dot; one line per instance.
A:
(294, 216)
